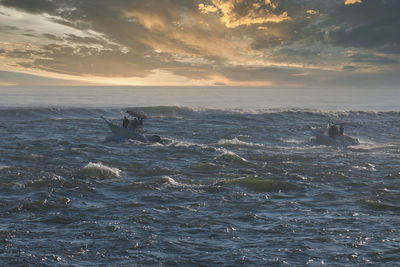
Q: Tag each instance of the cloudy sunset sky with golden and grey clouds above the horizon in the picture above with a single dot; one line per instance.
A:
(288, 43)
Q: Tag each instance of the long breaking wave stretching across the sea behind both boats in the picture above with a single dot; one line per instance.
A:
(173, 112)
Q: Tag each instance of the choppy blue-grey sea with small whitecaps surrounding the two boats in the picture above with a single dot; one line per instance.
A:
(239, 180)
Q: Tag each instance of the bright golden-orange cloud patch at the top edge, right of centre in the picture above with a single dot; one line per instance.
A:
(240, 12)
